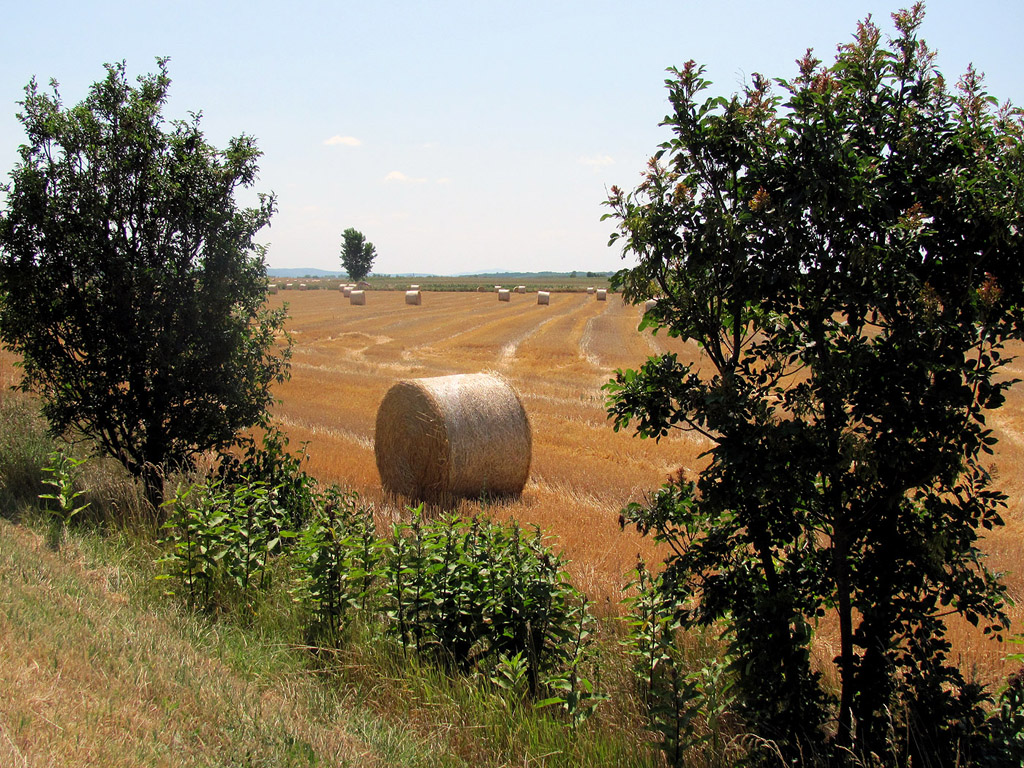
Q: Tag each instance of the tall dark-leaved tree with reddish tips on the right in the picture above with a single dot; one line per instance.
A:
(848, 259)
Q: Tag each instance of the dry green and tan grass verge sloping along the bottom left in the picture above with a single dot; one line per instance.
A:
(100, 667)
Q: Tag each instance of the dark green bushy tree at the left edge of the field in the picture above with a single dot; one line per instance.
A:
(131, 282)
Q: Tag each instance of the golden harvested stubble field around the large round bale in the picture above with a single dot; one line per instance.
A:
(558, 358)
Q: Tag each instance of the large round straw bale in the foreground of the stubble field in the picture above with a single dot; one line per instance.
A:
(453, 437)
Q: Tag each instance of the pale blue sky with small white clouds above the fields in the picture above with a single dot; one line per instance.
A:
(457, 136)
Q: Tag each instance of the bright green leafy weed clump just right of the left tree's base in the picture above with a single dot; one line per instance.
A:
(222, 539)
